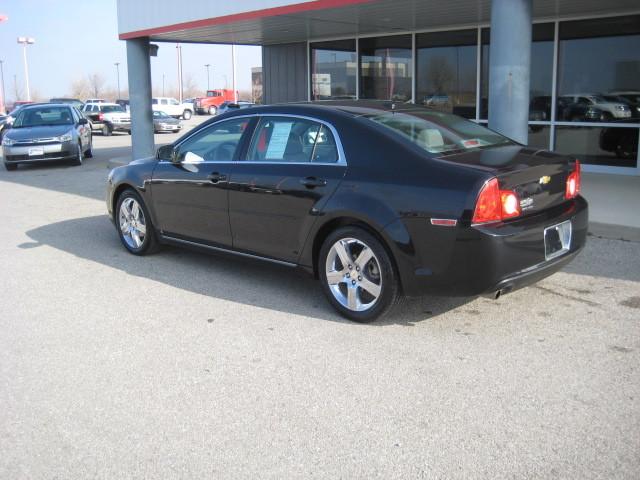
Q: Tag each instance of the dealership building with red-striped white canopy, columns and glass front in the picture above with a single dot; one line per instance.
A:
(562, 75)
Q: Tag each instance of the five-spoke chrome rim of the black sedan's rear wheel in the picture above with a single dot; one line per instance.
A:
(353, 274)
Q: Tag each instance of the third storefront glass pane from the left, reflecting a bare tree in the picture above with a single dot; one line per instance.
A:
(446, 71)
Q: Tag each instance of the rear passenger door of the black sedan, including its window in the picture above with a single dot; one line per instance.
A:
(291, 168)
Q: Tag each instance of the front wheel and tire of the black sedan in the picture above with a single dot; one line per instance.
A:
(129, 216)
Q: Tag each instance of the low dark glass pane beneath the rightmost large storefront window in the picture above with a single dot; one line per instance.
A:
(614, 146)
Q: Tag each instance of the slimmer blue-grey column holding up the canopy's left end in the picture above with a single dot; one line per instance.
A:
(139, 74)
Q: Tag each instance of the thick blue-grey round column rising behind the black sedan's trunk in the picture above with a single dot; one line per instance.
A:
(509, 65)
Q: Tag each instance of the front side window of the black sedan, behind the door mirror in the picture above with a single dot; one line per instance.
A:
(216, 143)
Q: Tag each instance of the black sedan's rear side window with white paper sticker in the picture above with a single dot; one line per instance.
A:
(295, 140)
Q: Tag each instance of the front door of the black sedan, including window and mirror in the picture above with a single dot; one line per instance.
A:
(189, 192)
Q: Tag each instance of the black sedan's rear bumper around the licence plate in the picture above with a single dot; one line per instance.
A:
(483, 260)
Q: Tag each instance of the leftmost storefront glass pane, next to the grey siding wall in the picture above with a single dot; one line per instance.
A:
(334, 70)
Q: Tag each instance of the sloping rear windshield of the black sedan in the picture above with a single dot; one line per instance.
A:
(438, 132)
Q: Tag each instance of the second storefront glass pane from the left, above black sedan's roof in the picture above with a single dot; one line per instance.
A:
(385, 64)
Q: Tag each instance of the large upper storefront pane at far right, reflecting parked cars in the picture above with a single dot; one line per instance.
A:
(599, 70)
